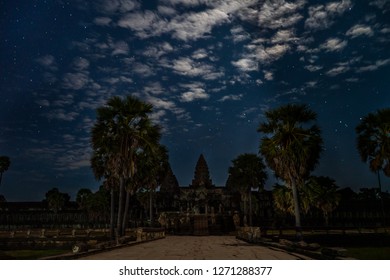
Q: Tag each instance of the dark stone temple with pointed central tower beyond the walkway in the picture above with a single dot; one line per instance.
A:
(202, 197)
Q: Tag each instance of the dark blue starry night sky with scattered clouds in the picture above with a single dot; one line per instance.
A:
(211, 68)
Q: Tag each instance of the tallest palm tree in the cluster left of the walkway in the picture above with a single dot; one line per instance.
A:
(122, 131)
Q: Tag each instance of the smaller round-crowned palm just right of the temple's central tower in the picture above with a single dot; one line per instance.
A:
(247, 173)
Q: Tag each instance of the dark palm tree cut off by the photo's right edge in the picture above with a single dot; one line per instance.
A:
(373, 142)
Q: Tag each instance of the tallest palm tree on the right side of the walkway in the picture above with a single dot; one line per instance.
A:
(291, 146)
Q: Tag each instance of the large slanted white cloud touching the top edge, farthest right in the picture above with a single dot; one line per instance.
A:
(323, 16)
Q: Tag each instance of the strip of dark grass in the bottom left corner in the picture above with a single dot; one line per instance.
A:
(30, 254)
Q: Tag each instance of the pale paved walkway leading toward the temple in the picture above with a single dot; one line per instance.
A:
(196, 248)
